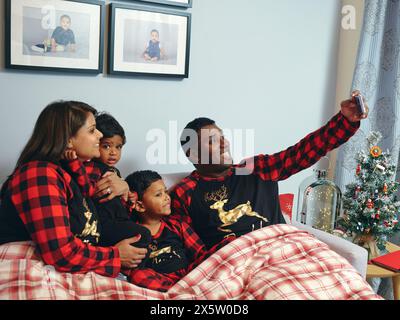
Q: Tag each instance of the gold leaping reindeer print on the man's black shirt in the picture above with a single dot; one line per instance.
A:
(232, 216)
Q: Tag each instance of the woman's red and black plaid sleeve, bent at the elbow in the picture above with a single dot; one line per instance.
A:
(39, 194)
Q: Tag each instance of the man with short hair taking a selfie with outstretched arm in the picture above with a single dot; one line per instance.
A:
(220, 199)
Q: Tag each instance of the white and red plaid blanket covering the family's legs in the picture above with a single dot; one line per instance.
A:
(277, 262)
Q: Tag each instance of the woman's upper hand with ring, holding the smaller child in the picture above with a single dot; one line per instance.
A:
(112, 185)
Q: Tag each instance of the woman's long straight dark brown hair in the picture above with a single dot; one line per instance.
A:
(57, 123)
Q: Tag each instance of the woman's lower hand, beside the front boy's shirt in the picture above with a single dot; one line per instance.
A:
(130, 256)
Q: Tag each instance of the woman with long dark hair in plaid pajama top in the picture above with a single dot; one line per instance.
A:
(41, 202)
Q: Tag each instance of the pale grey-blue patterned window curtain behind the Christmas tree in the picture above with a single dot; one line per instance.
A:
(377, 76)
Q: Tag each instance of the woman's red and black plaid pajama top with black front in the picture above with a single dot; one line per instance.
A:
(42, 203)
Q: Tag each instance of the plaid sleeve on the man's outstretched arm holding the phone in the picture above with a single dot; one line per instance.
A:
(309, 150)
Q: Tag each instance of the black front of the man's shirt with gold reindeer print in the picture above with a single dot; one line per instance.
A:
(231, 206)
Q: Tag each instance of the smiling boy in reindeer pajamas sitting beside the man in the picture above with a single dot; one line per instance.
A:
(175, 249)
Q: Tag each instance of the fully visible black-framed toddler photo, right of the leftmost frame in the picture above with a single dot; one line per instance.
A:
(149, 41)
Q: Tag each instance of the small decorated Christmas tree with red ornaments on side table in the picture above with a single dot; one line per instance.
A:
(371, 209)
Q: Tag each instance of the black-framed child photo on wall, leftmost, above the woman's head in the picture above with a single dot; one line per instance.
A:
(55, 35)
